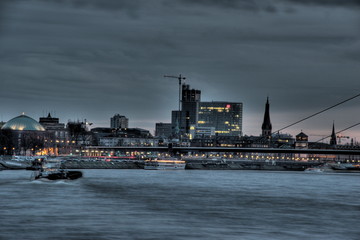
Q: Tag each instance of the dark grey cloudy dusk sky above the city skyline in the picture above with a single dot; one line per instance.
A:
(90, 59)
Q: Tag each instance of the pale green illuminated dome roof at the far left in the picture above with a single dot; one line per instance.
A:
(23, 122)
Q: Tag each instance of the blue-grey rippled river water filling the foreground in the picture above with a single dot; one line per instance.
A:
(140, 204)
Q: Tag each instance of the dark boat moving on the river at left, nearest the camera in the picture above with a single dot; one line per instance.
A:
(52, 171)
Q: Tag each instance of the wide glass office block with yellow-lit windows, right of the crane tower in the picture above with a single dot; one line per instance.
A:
(225, 117)
